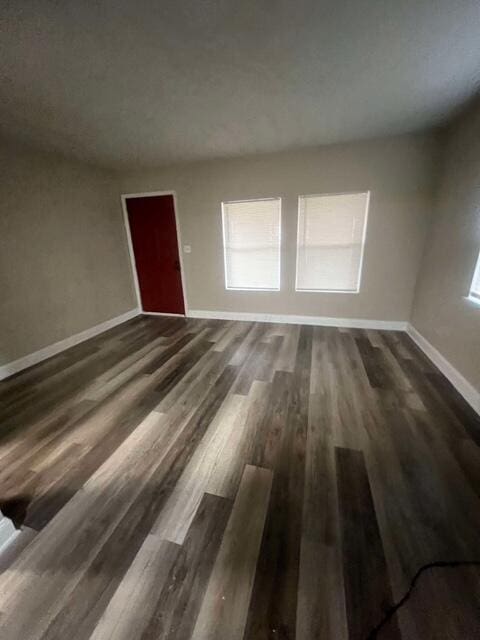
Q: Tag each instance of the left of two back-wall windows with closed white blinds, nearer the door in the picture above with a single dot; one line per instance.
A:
(251, 240)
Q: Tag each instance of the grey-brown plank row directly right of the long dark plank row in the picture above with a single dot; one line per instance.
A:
(321, 602)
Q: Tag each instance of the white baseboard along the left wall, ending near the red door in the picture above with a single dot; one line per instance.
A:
(47, 352)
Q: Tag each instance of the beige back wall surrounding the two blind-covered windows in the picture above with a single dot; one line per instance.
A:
(398, 171)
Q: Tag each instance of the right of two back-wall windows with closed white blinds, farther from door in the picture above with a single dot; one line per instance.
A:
(330, 241)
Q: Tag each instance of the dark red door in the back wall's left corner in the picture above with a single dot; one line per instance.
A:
(154, 238)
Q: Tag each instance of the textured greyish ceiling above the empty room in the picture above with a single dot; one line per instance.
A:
(144, 82)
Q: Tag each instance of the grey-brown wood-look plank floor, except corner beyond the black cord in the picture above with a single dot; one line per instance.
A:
(200, 479)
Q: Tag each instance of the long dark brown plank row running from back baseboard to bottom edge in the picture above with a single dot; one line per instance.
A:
(274, 600)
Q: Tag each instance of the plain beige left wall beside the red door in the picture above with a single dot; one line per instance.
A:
(64, 265)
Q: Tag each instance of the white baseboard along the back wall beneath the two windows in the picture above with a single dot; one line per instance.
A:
(321, 321)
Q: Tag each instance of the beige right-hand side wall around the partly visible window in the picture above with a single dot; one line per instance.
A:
(441, 312)
